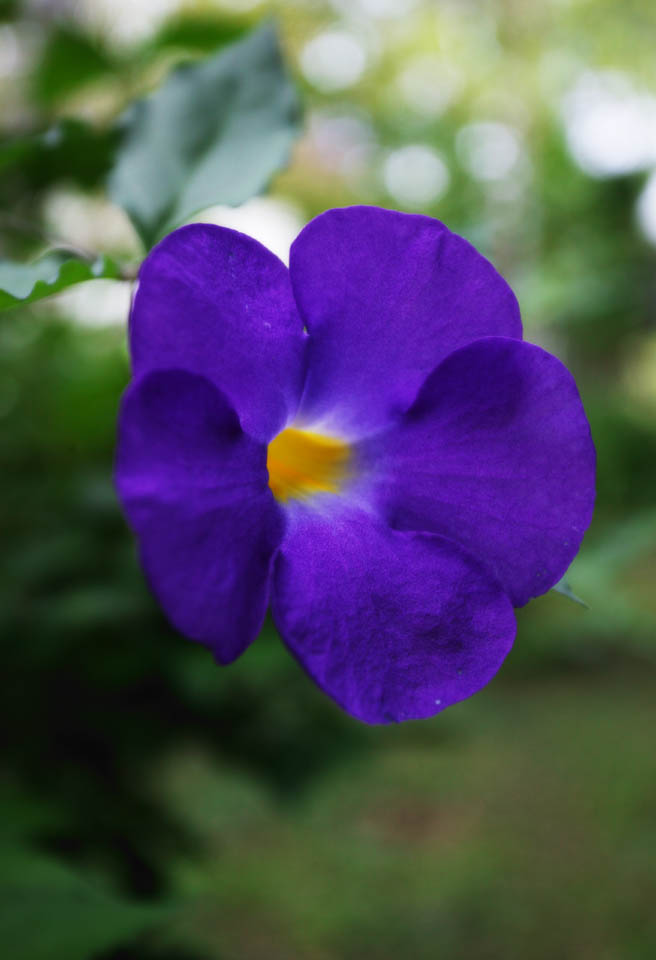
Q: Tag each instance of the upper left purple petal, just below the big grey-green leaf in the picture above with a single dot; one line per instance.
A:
(217, 303)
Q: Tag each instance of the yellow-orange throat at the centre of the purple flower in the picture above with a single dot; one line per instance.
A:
(301, 463)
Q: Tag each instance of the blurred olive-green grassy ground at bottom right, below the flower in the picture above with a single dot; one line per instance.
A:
(524, 831)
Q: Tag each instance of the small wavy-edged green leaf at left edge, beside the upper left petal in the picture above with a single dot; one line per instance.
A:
(26, 282)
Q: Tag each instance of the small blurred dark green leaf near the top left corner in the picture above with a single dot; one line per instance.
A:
(70, 60)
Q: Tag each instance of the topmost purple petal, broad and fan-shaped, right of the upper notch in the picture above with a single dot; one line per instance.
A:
(385, 297)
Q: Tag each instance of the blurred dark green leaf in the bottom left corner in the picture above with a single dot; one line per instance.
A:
(47, 910)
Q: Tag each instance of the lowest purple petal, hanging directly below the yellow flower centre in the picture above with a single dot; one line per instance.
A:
(394, 626)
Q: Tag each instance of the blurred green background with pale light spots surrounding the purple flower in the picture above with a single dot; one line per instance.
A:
(155, 806)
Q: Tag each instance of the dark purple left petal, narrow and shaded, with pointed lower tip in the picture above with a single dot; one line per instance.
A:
(194, 488)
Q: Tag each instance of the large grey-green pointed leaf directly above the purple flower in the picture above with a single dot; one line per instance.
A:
(215, 132)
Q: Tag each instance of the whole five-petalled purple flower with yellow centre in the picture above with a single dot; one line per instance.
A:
(363, 440)
